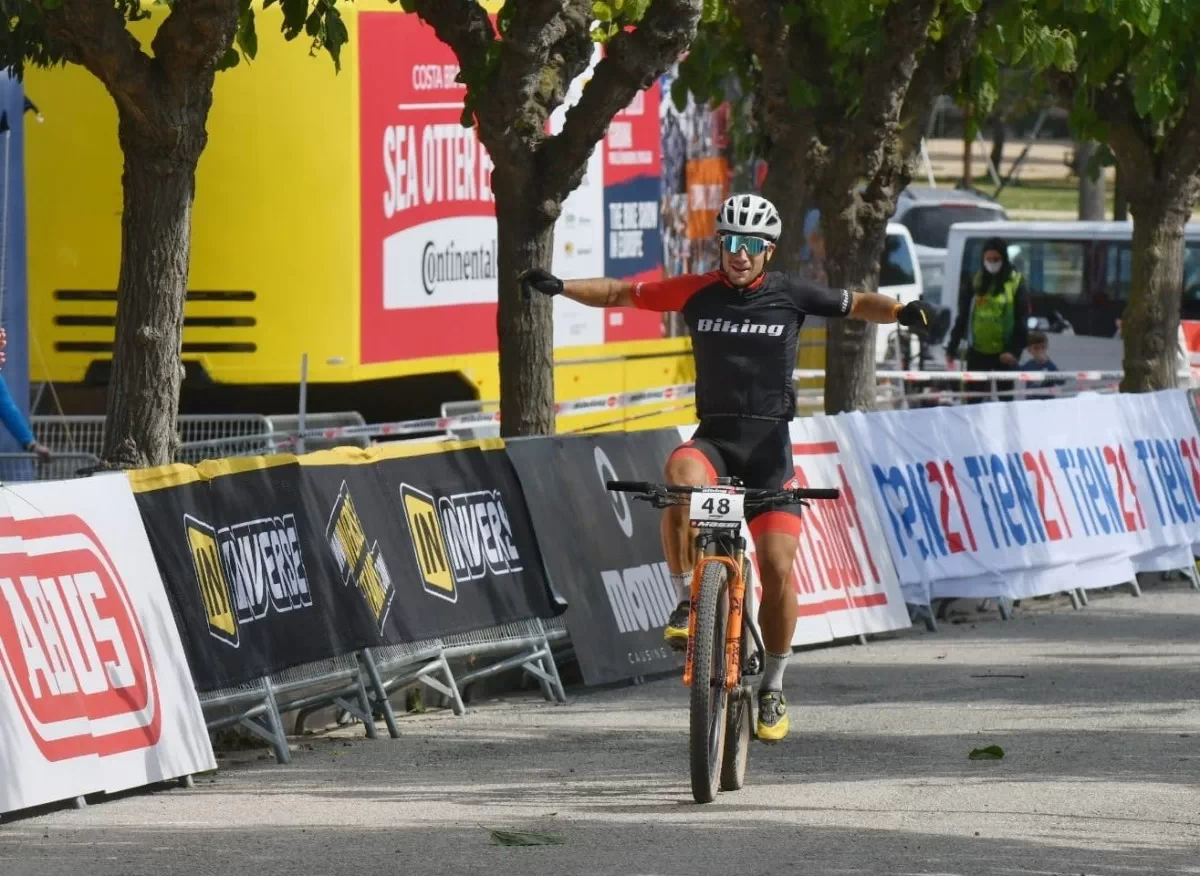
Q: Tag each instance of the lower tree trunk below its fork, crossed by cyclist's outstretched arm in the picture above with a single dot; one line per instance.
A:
(854, 248)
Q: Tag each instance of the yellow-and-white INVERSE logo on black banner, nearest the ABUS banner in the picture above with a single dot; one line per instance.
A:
(247, 571)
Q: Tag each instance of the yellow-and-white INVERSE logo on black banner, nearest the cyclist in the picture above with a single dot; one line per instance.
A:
(459, 538)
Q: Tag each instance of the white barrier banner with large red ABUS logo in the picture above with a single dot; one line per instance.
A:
(95, 693)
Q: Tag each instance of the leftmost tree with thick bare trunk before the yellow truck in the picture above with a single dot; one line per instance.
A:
(163, 95)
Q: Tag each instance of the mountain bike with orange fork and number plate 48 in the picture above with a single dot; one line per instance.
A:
(722, 623)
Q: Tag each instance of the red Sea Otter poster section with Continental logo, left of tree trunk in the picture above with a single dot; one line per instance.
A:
(428, 215)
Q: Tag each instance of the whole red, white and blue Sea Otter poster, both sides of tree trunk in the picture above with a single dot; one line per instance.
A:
(429, 243)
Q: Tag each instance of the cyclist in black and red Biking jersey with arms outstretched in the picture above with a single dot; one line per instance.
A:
(745, 323)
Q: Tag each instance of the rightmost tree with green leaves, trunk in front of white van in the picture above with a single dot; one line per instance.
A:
(1135, 85)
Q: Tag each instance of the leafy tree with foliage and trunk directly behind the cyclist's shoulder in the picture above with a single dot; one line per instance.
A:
(844, 93)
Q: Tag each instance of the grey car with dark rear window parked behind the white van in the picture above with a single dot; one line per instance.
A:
(928, 214)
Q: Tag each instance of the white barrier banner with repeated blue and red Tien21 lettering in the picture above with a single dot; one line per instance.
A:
(1028, 499)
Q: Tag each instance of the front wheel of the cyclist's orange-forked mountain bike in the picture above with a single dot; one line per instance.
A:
(710, 699)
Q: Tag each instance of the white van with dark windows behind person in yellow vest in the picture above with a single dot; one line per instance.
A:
(1078, 274)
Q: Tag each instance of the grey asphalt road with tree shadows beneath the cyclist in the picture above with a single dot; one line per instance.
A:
(1099, 712)
